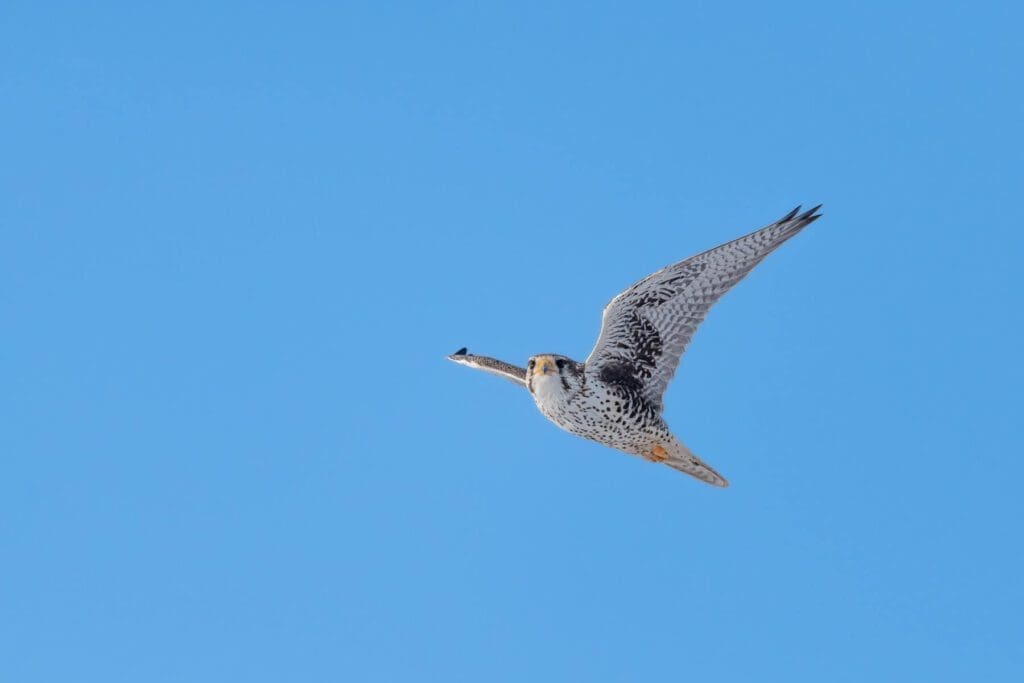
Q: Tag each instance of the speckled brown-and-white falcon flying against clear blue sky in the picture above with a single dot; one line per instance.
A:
(615, 397)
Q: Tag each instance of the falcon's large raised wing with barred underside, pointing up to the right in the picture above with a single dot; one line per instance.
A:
(646, 330)
